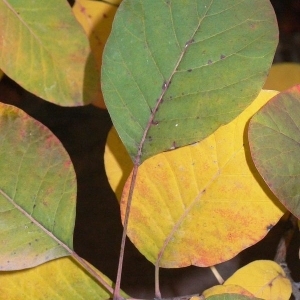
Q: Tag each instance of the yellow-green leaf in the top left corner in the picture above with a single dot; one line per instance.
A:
(43, 48)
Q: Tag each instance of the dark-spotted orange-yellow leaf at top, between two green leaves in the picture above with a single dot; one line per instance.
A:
(96, 19)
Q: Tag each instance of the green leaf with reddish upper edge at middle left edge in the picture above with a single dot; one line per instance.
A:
(37, 193)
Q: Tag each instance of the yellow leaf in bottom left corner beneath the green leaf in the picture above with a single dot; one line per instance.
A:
(59, 279)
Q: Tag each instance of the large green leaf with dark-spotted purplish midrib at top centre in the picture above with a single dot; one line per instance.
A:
(174, 71)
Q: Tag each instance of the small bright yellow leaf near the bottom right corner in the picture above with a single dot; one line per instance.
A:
(264, 279)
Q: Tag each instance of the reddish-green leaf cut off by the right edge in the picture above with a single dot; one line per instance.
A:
(274, 137)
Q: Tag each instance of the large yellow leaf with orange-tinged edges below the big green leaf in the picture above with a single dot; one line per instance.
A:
(201, 197)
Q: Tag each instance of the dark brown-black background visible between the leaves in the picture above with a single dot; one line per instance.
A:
(97, 236)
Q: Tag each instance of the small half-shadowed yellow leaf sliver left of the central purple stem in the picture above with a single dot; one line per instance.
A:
(118, 163)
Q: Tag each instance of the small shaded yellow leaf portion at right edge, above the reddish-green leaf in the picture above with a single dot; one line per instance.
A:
(283, 76)
